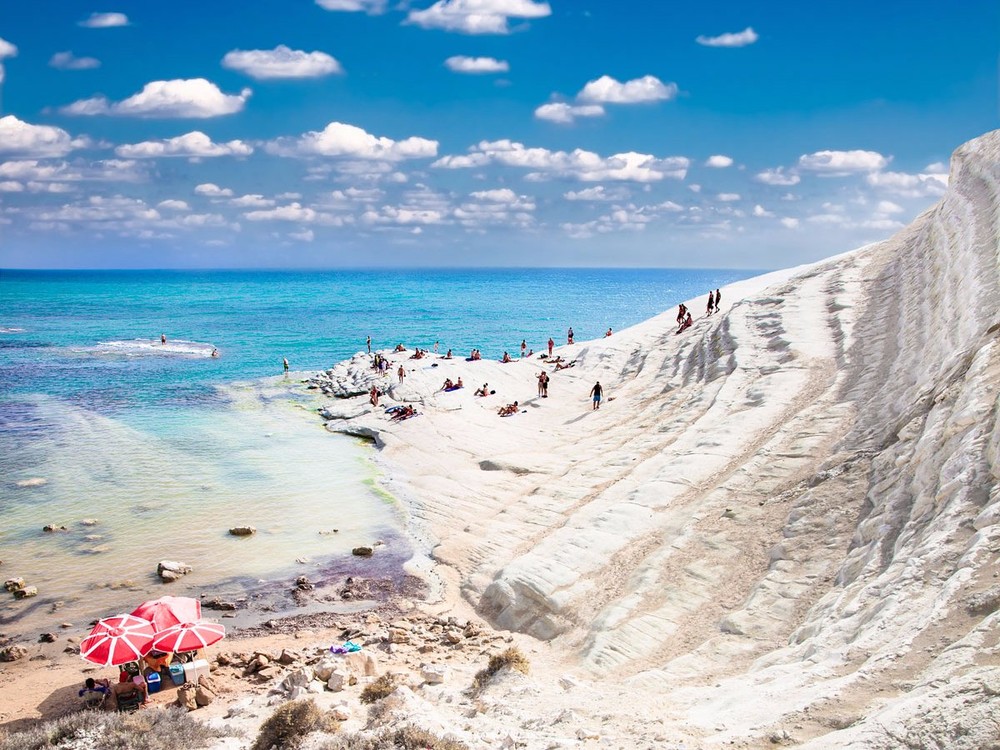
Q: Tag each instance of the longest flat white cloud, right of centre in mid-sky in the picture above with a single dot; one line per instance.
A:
(579, 164)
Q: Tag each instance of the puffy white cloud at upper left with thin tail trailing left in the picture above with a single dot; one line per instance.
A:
(193, 97)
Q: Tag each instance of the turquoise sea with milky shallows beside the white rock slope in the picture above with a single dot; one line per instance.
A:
(135, 451)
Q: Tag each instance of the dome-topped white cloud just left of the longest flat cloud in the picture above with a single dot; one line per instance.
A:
(340, 139)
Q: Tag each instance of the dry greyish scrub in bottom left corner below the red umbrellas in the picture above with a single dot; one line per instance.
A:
(146, 730)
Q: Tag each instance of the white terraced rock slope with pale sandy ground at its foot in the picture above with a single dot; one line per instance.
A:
(780, 527)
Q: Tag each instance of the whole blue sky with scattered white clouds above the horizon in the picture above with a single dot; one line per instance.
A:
(324, 133)
